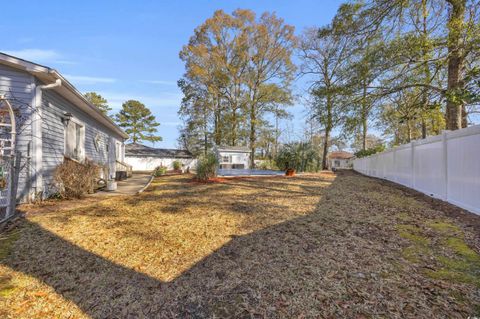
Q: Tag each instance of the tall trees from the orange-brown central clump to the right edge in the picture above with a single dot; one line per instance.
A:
(405, 68)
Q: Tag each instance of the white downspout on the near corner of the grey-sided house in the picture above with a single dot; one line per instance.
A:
(37, 136)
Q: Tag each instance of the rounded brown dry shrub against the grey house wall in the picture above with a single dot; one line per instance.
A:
(75, 179)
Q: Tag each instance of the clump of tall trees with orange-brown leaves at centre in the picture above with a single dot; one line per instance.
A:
(239, 70)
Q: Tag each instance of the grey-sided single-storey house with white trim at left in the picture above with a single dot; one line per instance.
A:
(54, 122)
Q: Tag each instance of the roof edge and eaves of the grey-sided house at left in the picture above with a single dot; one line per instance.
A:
(67, 90)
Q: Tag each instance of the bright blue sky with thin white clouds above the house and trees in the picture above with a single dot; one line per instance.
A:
(129, 49)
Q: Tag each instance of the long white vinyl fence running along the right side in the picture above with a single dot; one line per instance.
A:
(445, 166)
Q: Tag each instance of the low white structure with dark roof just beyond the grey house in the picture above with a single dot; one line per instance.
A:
(145, 158)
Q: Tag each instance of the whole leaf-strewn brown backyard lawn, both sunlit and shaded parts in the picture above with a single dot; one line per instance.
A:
(309, 246)
